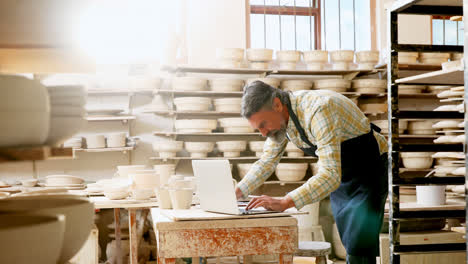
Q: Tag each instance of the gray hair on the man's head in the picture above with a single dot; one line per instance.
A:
(259, 96)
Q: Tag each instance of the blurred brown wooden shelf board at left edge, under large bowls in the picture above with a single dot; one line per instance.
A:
(9, 154)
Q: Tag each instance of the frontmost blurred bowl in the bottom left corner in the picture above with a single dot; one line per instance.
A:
(30, 238)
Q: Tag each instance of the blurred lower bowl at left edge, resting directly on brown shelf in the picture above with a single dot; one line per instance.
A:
(23, 128)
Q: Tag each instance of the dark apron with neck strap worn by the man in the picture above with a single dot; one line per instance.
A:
(358, 203)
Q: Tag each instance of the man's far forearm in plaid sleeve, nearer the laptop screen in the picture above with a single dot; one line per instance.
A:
(262, 169)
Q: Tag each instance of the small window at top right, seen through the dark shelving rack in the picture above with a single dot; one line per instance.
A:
(446, 32)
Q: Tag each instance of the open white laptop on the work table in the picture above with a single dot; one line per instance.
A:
(216, 189)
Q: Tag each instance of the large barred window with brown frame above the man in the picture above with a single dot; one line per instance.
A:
(310, 24)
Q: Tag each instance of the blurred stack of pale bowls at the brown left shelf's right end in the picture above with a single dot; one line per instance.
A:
(67, 106)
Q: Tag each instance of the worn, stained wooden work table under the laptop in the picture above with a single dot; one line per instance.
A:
(228, 237)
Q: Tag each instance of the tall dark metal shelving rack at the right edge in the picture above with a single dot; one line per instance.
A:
(441, 77)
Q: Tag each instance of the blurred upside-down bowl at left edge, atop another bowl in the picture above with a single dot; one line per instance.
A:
(20, 94)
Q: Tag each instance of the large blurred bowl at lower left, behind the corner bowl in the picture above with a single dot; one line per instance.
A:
(79, 217)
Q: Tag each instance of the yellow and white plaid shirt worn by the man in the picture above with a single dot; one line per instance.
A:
(328, 119)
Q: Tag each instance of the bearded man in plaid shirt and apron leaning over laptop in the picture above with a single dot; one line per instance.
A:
(351, 157)
